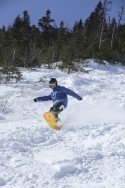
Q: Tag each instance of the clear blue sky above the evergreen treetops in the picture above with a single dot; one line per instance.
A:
(69, 11)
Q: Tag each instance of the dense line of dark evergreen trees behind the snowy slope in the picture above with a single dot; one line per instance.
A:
(98, 37)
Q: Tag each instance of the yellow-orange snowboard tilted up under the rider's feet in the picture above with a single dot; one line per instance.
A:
(51, 121)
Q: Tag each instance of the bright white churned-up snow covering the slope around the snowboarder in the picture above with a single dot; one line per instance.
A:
(89, 150)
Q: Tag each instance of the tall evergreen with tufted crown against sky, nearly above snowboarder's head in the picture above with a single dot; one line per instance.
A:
(48, 38)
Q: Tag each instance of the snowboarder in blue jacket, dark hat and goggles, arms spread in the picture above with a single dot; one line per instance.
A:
(59, 97)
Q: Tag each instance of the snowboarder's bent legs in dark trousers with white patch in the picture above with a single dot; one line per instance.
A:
(56, 109)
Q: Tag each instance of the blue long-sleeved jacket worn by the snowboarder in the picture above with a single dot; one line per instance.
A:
(59, 94)
